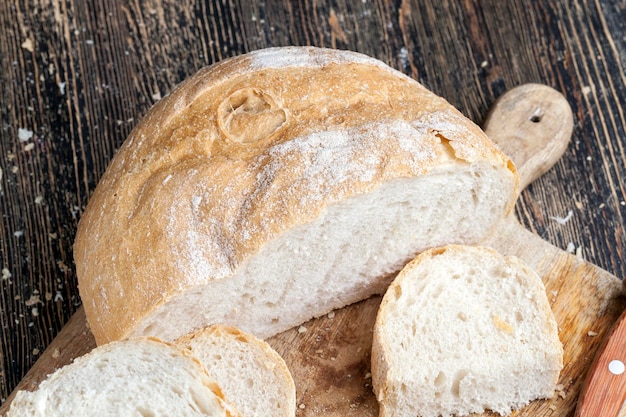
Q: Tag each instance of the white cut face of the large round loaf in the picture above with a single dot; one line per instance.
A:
(348, 253)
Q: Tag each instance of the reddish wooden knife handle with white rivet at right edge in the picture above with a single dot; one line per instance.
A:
(604, 392)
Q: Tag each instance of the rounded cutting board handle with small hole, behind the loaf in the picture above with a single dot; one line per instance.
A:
(532, 124)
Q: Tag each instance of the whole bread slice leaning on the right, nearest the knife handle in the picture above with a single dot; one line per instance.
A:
(462, 330)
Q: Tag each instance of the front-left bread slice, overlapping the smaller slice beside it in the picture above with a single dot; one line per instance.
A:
(144, 378)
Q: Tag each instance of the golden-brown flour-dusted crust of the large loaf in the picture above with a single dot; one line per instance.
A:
(239, 154)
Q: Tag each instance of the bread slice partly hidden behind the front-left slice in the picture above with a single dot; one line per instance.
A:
(251, 374)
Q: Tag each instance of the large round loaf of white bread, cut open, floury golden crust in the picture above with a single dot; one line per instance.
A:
(276, 186)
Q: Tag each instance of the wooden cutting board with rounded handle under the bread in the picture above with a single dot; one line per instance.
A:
(329, 357)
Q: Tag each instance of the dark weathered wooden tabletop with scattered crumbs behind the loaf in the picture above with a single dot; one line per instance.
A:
(76, 76)
